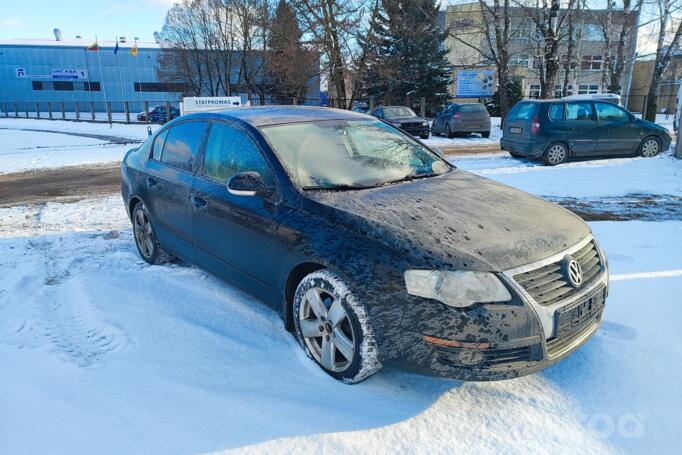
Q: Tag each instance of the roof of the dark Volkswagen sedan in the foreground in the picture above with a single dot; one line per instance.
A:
(277, 115)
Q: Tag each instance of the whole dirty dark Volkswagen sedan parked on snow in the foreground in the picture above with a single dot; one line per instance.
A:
(371, 247)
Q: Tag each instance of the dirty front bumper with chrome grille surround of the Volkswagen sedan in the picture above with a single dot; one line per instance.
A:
(502, 341)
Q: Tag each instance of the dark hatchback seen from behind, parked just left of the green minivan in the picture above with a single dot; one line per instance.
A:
(459, 118)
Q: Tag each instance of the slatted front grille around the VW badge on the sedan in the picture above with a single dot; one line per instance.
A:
(547, 284)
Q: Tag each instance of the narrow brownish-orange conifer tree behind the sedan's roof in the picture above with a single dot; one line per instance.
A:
(290, 65)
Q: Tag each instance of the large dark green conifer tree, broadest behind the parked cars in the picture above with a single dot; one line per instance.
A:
(409, 61)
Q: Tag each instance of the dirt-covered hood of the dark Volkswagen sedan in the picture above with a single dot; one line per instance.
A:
(457, 220)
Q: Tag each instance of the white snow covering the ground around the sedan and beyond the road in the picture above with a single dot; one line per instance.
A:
(101, 353)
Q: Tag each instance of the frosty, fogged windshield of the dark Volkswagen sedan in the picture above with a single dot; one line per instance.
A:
(344, 154)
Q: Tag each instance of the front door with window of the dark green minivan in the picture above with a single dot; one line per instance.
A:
(617, 133)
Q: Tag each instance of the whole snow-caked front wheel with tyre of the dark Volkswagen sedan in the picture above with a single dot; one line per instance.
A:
(332, 325)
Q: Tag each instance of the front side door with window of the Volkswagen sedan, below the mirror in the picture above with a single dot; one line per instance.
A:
(235, 234)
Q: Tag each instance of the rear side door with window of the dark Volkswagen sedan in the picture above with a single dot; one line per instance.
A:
(169, 178)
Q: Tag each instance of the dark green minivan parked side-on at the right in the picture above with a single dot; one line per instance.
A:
(558, 130)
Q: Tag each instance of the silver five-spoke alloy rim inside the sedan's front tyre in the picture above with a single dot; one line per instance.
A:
(326, 330)
